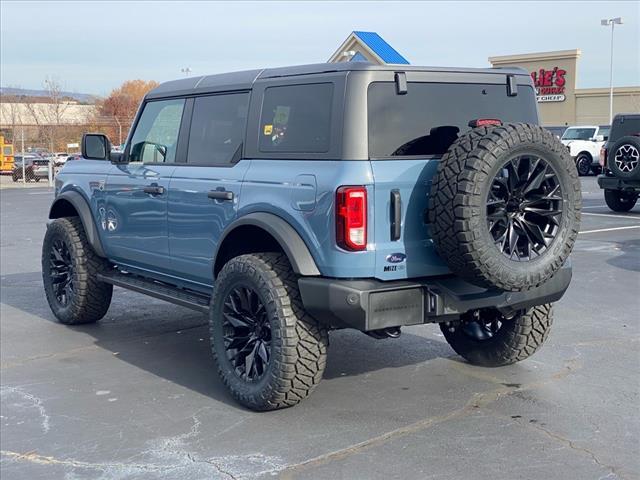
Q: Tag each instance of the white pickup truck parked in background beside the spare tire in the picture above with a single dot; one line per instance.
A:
(584, 144)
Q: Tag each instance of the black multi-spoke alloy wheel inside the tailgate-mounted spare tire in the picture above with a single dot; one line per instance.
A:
(524, 207)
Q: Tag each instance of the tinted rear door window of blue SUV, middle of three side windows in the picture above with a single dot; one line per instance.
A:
(217, 129)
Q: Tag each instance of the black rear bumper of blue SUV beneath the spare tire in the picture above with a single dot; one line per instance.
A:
(372, 304)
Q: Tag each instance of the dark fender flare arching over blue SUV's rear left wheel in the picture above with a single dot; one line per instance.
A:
(287, 237)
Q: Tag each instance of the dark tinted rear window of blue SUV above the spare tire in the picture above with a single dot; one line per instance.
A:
(431, 116)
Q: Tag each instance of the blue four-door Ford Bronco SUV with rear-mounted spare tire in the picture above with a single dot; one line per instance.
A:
(289, 202)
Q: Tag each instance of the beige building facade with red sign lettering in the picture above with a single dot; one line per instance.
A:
(560, 102)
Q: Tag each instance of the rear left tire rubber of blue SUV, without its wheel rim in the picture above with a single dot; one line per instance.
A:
(298, 342)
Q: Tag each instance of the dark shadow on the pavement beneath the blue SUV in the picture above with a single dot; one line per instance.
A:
(172, 342)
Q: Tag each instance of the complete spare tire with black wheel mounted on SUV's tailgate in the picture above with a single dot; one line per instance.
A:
(505, 206)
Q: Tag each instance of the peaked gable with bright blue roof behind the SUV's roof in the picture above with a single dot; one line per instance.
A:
(367, 47)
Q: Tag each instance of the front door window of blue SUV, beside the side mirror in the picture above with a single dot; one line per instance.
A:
(156, 135)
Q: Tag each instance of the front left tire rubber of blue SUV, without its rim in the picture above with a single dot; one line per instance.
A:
(91, 298)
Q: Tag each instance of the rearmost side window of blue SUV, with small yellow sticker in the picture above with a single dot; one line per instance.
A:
(296, 119)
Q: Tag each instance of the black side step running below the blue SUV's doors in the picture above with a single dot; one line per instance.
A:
(186, 298)
